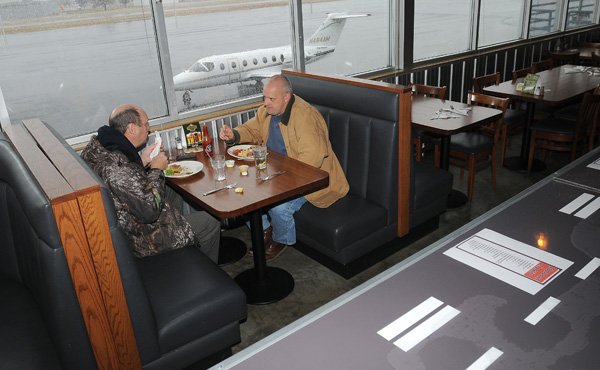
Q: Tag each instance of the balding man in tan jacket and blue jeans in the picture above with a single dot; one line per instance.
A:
(289, 125)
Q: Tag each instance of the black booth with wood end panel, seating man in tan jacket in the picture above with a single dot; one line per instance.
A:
(392, 200)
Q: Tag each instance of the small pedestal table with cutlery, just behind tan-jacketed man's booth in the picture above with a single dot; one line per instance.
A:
(426, 117)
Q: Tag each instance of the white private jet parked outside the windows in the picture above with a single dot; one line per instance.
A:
(259, 64)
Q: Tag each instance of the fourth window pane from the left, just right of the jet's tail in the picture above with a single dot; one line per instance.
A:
(442, 27)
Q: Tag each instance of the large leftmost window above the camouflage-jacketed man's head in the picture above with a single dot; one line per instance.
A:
(72, 76)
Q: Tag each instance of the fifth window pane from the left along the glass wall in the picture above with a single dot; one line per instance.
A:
(500, 21)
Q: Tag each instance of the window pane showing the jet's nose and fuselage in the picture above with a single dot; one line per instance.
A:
(197, 29)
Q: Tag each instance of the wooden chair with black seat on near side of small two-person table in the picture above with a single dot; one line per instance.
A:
(475, 150)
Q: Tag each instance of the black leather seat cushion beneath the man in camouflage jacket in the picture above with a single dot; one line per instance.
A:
(190, 298)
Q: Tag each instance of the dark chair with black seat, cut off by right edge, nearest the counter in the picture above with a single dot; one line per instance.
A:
(563, 135)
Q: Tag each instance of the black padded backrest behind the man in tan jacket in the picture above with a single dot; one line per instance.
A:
(363, 130)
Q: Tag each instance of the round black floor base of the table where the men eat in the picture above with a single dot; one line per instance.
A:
(276, 285)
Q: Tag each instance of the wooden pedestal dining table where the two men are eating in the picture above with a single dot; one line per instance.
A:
(262, 284)
